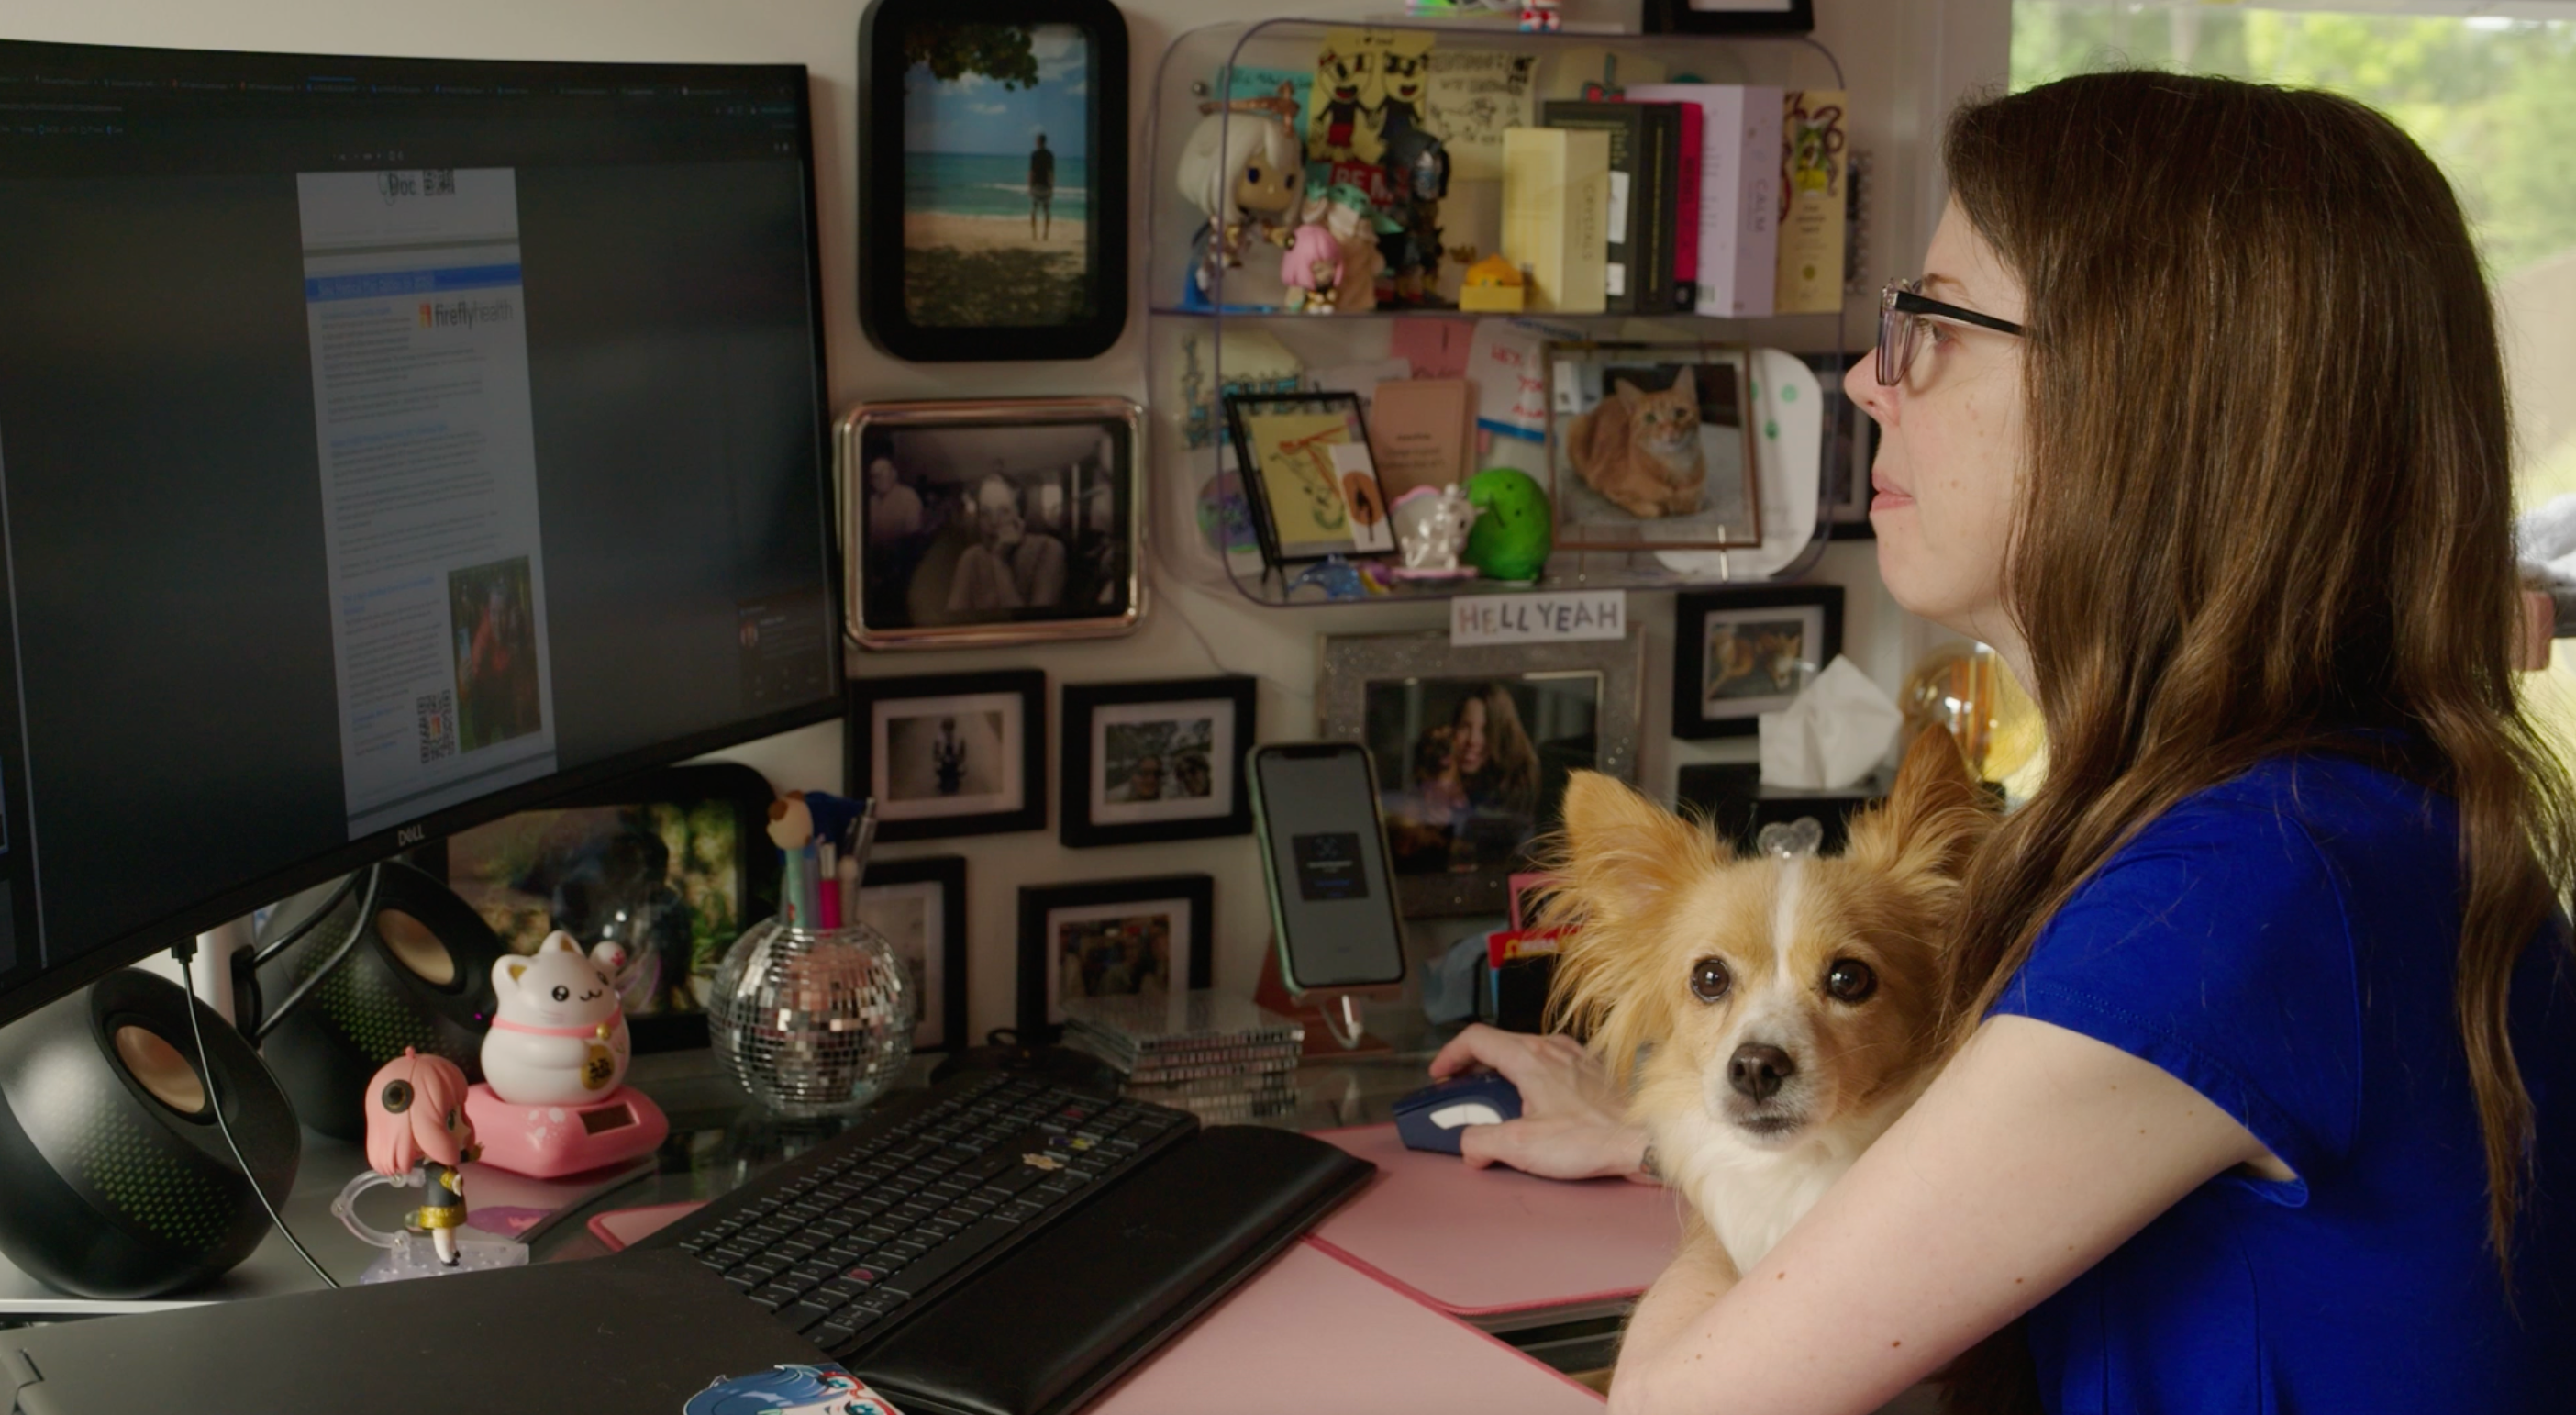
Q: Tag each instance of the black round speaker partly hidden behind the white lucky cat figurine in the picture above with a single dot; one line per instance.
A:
(419, 976)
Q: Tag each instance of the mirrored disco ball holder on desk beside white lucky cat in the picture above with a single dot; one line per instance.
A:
(813, 1022)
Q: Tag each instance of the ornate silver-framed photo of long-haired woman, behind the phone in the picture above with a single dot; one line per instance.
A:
(1475, 746)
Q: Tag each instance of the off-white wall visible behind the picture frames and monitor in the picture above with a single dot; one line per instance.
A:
(1902, 61)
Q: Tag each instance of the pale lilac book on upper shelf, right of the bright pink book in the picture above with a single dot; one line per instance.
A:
(1740, 192)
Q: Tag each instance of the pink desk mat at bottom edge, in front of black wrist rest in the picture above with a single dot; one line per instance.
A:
(1312, 1334)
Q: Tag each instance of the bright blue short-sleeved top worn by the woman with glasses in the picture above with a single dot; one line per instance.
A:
(2286, 945)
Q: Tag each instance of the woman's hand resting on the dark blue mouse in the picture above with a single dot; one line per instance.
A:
(1573, 1122)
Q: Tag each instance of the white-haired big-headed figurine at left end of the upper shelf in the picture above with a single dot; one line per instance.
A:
(1248, 177)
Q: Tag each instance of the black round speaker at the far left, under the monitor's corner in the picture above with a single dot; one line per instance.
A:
(115, 1174)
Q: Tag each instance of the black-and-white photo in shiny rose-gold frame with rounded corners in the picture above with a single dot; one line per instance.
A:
(993, 522)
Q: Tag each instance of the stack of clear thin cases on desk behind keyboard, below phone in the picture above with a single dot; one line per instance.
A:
(1204, 1053)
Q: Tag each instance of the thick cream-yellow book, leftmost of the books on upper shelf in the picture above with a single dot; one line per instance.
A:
(1555, 218)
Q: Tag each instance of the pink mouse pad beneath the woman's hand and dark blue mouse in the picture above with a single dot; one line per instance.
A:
(1482, 1244)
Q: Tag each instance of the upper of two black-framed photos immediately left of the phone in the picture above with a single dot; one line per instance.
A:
(1155, 762)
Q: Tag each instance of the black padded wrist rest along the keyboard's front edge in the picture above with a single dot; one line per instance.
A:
(1057, 1321)
